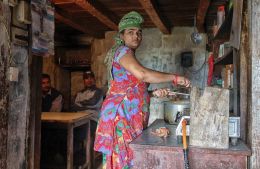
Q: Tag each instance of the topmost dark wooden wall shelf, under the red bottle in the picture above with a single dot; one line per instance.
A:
(223, 33)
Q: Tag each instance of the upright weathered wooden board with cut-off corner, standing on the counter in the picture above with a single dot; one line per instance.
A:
(209, 120)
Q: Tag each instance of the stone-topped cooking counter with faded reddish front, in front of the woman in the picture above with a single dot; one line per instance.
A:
(152, 152)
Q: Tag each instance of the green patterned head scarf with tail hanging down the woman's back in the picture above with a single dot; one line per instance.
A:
(131, 19)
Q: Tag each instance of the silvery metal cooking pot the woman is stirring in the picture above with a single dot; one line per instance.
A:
(174, 110)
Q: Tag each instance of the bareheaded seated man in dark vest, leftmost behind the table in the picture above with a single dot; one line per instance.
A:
(51, 98)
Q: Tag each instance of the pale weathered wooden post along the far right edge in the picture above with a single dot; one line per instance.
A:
(254, 101)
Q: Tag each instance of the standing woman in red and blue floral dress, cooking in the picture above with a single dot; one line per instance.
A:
(124, 113)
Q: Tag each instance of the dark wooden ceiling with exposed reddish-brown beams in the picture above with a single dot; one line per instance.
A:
(94, 17)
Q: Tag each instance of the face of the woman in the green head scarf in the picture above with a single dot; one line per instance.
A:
(132, 37)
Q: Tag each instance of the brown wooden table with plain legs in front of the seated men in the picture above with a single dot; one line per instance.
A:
(70, 121)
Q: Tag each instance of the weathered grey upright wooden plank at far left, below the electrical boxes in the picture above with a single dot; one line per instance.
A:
(19, 111)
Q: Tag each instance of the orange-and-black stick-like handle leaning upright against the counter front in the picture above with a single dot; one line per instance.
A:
(185, 147)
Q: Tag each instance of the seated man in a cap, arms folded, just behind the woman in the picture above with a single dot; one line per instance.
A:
(90, 98)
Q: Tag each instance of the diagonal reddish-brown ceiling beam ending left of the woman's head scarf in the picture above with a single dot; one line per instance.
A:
(85, 4)
